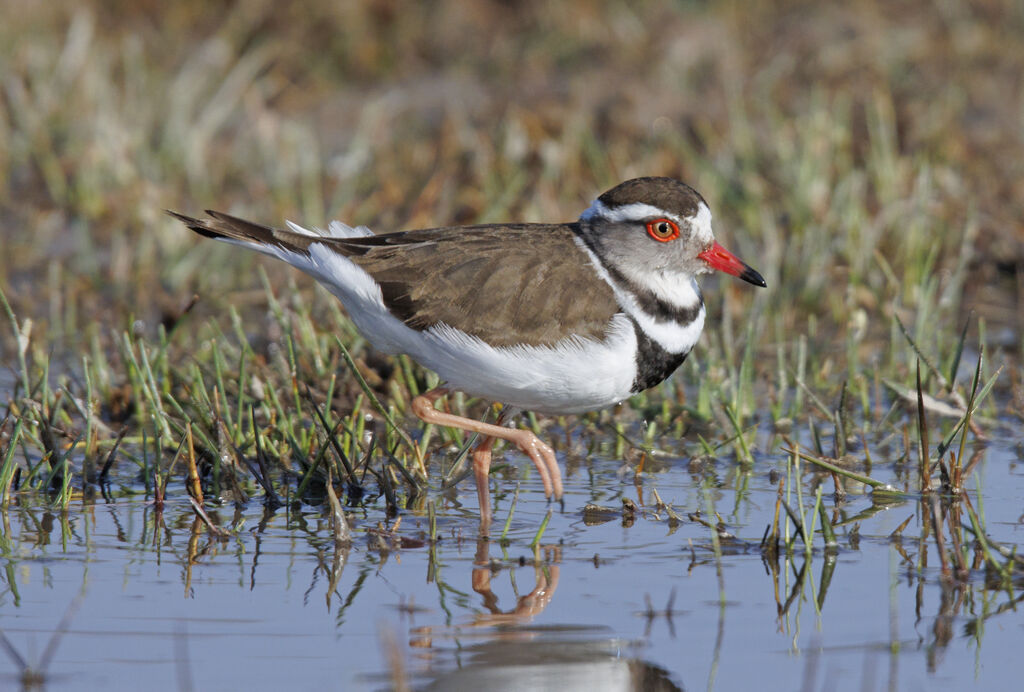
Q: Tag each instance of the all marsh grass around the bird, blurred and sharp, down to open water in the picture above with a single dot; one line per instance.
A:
(869, 157)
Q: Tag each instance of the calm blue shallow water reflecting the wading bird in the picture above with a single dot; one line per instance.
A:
(153, 598)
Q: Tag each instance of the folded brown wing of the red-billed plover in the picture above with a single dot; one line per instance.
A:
(506, 285)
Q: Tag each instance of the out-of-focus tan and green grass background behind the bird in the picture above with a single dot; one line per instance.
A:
(867, 158)
